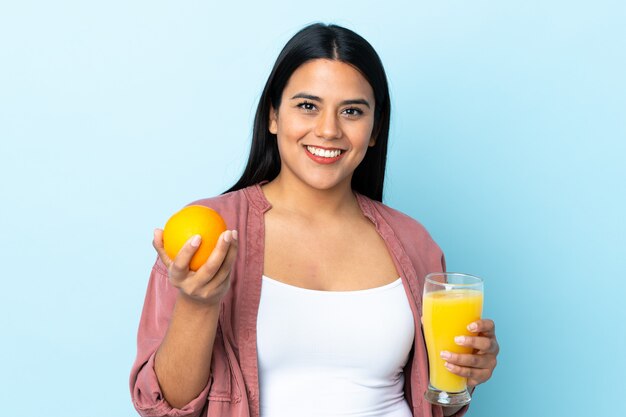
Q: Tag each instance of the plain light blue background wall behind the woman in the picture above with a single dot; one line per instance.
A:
(507, 143)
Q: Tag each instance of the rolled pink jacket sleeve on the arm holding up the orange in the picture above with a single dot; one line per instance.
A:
(144, 387)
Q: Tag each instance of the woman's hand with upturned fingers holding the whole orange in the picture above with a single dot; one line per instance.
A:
(211, 281)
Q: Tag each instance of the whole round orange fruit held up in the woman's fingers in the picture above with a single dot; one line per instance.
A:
(190, 221)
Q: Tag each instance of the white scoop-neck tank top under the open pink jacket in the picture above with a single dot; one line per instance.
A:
(333, 353)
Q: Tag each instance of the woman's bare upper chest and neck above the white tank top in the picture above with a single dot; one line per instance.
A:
(338, 250)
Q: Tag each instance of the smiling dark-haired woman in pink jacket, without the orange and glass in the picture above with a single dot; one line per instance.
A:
(310, 305)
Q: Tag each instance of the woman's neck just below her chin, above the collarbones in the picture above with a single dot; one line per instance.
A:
(299, 198)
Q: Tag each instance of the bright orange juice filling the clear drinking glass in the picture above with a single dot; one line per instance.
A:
(446, 314)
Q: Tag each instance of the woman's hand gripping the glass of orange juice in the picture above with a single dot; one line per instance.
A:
(478, 366)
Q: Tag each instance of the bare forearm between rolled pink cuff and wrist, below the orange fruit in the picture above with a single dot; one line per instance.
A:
(183, 361)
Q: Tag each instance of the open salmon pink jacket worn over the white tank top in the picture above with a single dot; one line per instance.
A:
(233, 387)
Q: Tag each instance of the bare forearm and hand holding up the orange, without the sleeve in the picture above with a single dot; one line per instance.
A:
(183, 361)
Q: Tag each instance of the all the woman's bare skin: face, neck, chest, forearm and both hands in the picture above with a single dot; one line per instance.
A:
(315, 216)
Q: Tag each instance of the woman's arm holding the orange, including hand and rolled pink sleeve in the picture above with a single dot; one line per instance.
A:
(179, 322)
